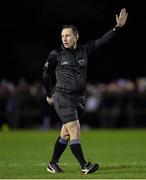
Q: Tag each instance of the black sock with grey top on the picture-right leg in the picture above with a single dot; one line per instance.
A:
(77, 151)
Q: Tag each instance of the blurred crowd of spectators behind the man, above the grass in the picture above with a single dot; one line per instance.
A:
(118, 103)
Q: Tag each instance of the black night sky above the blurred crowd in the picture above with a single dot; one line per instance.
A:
(30, 29)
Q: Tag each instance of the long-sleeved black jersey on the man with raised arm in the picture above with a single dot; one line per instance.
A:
(70, 66)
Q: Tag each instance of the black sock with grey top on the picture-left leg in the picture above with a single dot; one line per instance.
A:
(59, 148)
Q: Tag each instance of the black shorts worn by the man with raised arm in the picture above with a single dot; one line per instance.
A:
(69, 107)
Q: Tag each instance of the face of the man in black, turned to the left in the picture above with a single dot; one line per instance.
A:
(69, 40)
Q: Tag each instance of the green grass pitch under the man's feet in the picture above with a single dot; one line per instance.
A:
(121, 154)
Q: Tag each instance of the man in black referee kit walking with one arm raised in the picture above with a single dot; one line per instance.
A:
(69, 62)
